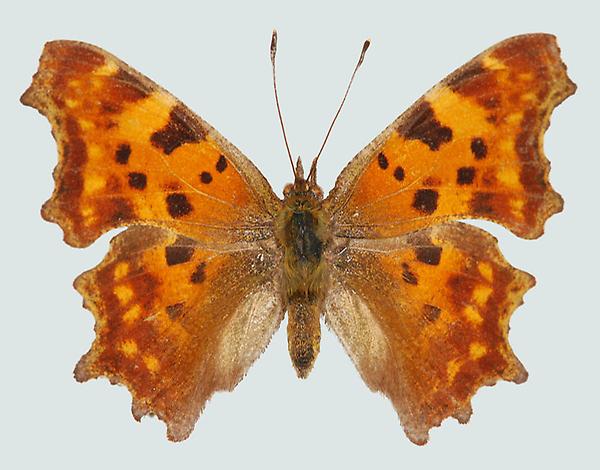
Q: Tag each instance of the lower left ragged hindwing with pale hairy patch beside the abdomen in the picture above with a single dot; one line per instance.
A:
(176, 322)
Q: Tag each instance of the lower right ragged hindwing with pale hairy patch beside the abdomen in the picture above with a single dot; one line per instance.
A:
(424, 318)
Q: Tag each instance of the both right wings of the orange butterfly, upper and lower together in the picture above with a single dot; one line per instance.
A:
(422, 304)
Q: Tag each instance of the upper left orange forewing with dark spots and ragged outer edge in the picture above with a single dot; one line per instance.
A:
(130, 153)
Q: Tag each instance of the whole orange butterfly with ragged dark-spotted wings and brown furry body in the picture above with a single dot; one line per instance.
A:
(190, 294)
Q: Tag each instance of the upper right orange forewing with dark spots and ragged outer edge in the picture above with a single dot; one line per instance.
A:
(470, 148)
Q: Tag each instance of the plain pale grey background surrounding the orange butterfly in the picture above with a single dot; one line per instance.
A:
(214, 56)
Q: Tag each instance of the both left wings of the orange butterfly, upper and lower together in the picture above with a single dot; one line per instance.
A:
(188, 297)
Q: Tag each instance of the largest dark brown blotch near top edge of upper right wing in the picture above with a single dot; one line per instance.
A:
(422, 125)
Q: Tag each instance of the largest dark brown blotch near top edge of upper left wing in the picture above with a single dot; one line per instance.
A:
(180, 130)
